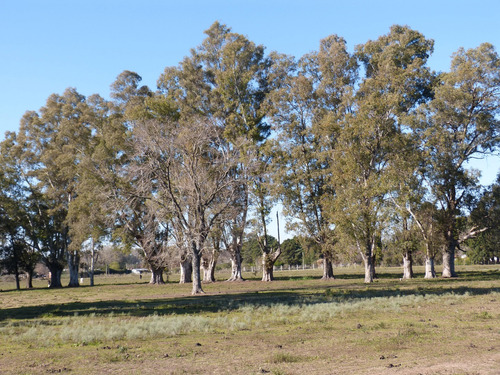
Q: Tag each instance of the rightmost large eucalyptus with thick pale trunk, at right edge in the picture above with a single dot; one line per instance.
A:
(461, 123)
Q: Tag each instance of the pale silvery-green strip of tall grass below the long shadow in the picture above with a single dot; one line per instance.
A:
(101, 329)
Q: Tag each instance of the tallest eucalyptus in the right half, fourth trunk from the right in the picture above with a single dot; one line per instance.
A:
(395, 82)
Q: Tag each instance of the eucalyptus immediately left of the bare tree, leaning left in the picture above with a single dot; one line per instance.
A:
(134, 211)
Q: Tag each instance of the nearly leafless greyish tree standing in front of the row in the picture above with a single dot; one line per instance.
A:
(191, 164)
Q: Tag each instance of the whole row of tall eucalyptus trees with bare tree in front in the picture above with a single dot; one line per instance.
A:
(366, 151)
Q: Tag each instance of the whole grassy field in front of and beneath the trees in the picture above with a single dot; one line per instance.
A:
(295, 325)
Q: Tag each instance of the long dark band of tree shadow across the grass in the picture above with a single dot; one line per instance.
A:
(212, 303)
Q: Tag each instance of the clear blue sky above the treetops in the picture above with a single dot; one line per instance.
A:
(48, 45)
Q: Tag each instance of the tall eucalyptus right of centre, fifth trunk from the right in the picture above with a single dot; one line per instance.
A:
(307, 106)
